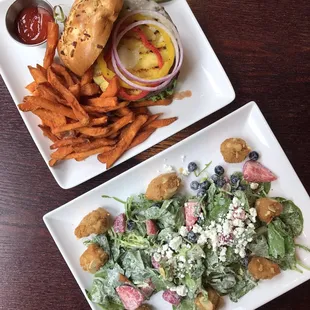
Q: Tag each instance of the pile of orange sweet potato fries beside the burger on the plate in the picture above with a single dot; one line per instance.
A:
(79, 119)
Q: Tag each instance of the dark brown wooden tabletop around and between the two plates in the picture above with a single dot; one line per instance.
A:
(264, 47)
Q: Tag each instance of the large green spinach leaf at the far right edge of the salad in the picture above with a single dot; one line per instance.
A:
(291, 216)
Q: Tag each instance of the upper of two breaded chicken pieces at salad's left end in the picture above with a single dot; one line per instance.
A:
(96, 222)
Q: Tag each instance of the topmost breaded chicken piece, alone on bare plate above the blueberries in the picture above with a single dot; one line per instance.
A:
(234, 150)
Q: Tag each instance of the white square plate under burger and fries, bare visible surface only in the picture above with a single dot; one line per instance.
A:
(201, 73)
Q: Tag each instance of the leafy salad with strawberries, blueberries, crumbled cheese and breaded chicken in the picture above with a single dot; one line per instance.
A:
(223, 238)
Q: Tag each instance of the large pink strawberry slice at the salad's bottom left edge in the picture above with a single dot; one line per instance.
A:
(131, 297)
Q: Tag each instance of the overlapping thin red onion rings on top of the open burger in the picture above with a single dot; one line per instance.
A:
(117, 62)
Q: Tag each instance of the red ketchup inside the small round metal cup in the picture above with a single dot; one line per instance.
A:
(32, 23)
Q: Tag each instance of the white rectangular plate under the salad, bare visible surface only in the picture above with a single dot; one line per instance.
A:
(247, 123)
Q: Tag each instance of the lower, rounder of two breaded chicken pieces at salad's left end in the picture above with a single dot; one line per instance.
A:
(93, 258)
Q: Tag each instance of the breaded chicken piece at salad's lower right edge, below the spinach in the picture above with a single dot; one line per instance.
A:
(262, 268)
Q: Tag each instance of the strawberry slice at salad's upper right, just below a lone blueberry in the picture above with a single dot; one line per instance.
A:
(253, 171)
